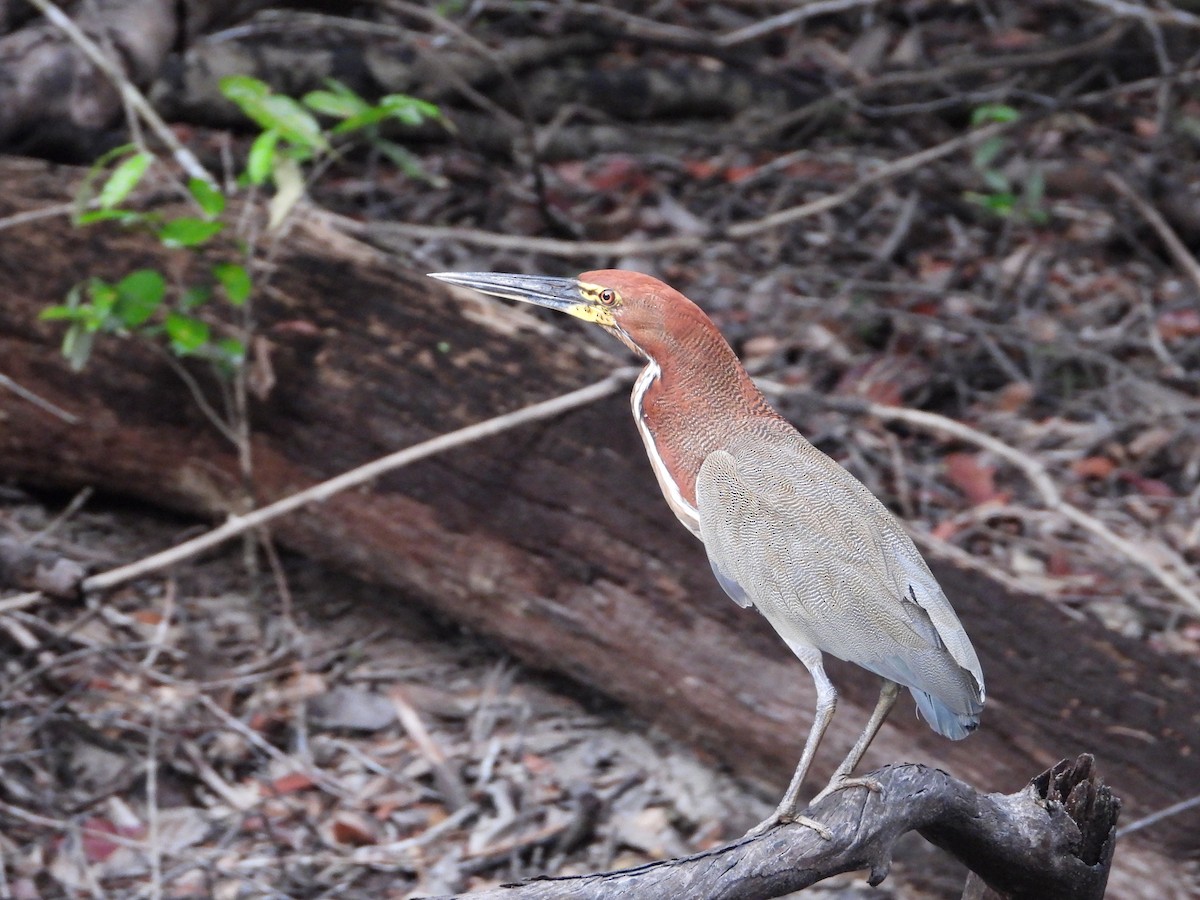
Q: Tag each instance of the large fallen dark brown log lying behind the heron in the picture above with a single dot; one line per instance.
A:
(553, 541)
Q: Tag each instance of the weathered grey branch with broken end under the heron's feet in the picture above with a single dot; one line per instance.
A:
(1054, 838)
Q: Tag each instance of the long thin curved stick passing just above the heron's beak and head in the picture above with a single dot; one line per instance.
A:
(652, 247)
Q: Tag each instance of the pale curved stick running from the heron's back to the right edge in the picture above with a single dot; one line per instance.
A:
(1037, 476)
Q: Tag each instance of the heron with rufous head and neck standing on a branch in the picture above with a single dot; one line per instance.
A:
(788, 530)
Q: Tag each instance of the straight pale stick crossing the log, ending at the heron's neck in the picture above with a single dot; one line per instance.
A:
(238, 525)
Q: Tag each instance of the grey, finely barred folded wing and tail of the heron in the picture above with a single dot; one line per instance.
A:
(795, 535)
